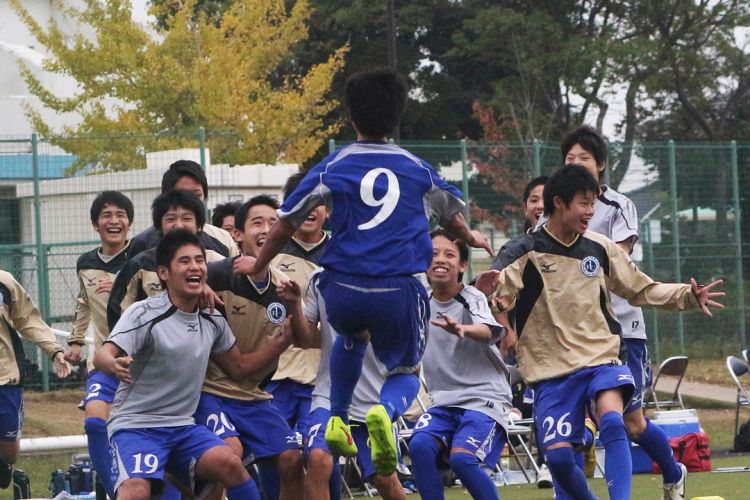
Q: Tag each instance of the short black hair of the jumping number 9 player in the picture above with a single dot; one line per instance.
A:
(375, 100)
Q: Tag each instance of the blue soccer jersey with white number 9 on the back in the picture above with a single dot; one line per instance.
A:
(381, 198)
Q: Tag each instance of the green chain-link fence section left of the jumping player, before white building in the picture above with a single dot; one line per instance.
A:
(46, 190)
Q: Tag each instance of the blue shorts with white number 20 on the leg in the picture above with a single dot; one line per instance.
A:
(260, 427)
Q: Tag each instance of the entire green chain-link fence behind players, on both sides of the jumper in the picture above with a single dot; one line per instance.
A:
(689, 199)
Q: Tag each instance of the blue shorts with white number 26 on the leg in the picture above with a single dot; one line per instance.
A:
(560, 403)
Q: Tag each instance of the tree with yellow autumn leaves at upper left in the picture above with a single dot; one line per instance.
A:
(158, 85)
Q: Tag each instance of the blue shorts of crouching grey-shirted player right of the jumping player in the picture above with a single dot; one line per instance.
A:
(460, 428)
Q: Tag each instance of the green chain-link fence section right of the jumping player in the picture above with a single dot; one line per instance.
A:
(689, 198)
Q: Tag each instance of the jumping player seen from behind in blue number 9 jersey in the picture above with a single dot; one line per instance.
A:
(380, 198)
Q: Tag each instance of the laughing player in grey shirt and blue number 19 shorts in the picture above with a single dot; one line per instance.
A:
(151, 426)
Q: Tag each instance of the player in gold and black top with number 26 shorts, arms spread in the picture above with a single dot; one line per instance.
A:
(569, 344)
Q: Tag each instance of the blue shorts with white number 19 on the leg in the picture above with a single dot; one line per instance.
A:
(148, 453)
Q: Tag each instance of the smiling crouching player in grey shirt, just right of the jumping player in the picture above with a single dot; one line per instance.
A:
(466, 378)
